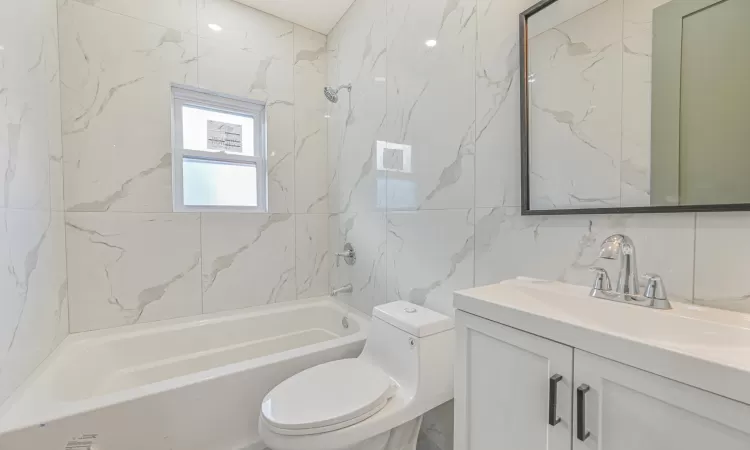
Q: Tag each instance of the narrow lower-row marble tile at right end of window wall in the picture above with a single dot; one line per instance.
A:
(313, 259)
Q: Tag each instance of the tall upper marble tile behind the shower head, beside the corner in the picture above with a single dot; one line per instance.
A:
(357, 121)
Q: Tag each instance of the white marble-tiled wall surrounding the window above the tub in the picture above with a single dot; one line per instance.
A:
(130, 258)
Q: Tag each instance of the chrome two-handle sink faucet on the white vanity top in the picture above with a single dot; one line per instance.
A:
(628, 288)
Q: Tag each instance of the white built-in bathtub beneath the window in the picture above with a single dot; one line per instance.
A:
(185, 384)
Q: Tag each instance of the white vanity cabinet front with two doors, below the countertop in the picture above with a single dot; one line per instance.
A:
(519, 391)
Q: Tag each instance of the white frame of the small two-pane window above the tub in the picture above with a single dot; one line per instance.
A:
(223, 103)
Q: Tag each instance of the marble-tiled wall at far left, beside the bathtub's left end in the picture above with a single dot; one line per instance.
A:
(33, 294)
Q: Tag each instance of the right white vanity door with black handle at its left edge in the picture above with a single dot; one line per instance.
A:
(618, 407)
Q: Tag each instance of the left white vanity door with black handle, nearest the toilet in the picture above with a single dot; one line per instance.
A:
(505, 379)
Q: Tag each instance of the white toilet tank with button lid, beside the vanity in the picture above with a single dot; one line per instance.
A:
(415, 347)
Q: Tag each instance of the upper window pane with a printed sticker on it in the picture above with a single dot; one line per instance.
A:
(204, 129)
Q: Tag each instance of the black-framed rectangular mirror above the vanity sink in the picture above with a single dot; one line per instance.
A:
(635, 106)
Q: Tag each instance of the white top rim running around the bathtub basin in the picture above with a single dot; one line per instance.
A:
(12, 419)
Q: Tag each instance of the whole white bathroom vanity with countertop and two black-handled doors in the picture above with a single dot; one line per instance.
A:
(541, 365)
